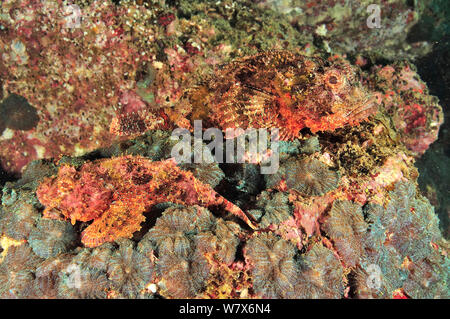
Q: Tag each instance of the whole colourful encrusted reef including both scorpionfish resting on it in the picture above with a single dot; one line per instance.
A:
(100, 208)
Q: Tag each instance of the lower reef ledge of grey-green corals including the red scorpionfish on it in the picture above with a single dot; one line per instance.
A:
(315, 229)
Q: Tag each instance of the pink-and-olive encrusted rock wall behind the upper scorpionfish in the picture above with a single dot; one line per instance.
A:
(74, 74)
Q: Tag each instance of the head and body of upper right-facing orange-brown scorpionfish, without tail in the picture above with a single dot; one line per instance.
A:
(280, 89)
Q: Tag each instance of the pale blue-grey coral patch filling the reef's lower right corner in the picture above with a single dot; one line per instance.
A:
(400, 244)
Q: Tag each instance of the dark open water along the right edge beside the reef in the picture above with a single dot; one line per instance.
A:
(434, 69)
